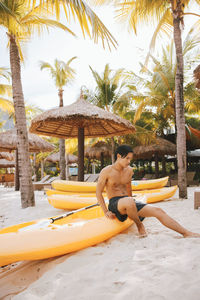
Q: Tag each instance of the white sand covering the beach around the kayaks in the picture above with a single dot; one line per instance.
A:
(161, 266)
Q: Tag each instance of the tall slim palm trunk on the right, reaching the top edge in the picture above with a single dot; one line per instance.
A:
(179, 100)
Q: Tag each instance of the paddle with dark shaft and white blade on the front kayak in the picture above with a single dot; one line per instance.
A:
(52, 220)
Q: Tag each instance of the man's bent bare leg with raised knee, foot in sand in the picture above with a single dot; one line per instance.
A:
(127, 206)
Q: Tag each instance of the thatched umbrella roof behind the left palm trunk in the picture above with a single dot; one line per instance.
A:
(8, 142)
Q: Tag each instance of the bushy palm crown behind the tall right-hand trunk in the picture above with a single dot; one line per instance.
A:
(159, 86)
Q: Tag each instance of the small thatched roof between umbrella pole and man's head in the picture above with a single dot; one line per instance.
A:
(98, 149)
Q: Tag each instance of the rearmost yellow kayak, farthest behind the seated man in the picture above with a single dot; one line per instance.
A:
(90, 187)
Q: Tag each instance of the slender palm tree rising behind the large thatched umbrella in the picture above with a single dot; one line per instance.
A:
(62, 74)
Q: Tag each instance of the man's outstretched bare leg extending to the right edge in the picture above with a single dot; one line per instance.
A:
(166, 220)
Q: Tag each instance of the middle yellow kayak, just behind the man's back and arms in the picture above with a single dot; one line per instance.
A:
(75, 201)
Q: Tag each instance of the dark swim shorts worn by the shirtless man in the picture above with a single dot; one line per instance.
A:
(112, 206)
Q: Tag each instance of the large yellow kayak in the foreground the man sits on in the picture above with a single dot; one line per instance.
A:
(41, 239)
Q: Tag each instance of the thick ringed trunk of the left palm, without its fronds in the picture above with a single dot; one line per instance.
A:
(26, 186)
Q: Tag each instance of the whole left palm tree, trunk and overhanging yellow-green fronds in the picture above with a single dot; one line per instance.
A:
(20, 21)
